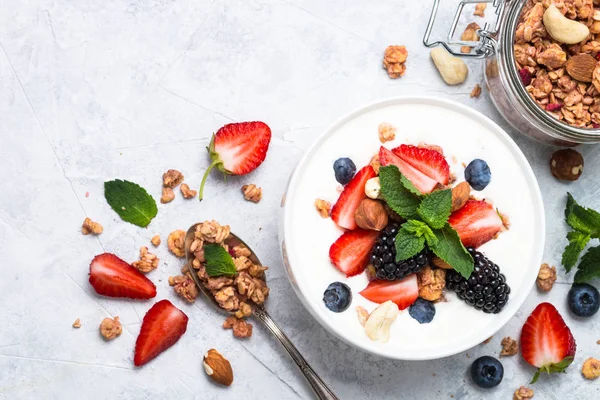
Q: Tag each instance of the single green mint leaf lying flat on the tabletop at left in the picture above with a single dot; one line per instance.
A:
(131, 201)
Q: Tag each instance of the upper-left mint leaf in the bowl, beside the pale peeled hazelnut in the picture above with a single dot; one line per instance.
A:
(400, 199)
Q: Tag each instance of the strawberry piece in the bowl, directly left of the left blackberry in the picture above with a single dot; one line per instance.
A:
(350, 253)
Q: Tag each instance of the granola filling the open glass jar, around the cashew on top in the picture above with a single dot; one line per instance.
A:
(553, 72)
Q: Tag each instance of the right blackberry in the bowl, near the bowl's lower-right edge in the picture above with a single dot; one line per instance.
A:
(486, 288)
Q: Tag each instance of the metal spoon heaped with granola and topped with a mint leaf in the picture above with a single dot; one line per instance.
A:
(232, 278)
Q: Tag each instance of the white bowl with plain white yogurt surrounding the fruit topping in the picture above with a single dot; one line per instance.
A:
(464, 134)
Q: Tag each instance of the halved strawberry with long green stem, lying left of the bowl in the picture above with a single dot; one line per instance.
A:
(238, 148)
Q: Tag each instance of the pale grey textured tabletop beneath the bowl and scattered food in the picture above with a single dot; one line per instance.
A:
(96, 90)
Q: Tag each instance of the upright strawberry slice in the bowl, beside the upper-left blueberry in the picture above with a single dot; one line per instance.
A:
(342, 212)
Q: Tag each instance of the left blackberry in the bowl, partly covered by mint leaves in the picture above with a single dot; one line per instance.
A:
(383, 257)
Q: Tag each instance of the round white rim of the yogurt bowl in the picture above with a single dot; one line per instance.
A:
(528, 174)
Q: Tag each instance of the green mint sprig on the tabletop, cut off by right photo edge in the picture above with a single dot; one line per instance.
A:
(585, 224)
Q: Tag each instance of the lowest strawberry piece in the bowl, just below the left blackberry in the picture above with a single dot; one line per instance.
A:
(403, 292)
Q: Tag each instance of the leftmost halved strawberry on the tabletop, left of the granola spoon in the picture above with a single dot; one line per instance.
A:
(110, 276)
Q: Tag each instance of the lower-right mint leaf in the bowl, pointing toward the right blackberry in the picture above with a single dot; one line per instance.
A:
(450, 249)
